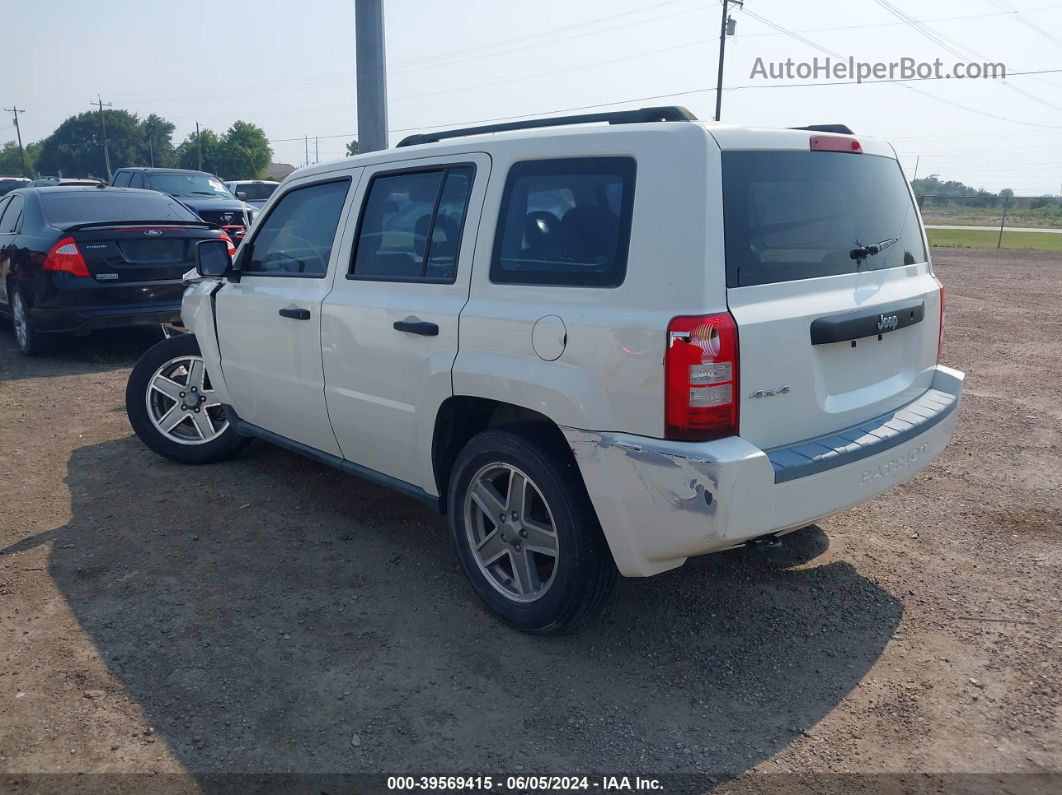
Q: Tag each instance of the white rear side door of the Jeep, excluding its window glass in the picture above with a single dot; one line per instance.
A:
(385, 387)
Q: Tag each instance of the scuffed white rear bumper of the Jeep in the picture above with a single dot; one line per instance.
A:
(661, 503)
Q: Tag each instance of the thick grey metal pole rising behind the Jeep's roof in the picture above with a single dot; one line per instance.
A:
(372, 75)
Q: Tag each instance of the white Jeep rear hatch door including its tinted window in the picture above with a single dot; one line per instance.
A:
(829, 282)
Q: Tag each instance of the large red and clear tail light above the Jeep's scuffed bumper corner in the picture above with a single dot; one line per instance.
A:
(701, 378)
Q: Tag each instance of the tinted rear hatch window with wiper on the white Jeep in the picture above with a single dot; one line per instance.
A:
(795, 216)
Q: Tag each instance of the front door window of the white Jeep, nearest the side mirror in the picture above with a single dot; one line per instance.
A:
(296, 239)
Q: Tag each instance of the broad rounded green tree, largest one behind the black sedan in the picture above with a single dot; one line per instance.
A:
(76, 148)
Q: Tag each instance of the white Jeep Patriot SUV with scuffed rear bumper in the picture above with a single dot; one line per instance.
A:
(599, 343)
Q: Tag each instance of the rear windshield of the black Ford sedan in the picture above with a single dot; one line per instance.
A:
(93, 206)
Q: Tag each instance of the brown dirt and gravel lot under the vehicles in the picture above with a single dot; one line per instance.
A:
(255, 616)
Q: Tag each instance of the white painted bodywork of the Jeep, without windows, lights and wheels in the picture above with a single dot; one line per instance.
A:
(349, 385)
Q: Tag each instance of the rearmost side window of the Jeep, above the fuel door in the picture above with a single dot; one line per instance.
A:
(566, 222)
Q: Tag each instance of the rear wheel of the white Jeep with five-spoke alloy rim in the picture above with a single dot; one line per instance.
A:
(507, 563)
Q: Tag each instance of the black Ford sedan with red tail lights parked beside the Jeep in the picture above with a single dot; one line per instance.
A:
(78, 260)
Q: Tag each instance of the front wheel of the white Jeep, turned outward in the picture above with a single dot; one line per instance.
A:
(169, 388)
